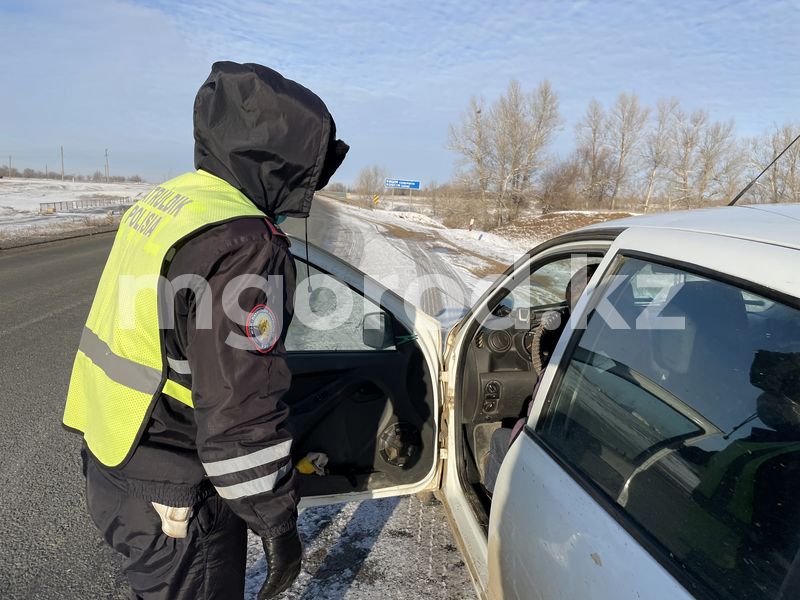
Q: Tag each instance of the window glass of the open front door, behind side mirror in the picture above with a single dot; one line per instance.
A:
(329, 316)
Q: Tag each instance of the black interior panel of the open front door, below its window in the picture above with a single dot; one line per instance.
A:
(371, 413)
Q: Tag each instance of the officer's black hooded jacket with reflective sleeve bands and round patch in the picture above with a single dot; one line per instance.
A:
(274, 140)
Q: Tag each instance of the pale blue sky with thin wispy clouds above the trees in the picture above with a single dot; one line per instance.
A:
(122, 75)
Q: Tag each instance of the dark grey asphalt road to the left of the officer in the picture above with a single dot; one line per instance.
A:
(48, 546)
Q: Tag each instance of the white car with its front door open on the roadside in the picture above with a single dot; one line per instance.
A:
(660, 454)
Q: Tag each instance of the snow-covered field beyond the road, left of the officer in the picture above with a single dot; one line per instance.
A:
(20, 199)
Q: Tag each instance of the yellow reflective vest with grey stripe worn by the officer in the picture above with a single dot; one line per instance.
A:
(121, 367)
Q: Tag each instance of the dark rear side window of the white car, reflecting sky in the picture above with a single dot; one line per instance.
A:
(683, 408)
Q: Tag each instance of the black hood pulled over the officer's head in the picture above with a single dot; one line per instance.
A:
(269, 137)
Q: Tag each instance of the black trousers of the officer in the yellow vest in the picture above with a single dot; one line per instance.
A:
(209, 563)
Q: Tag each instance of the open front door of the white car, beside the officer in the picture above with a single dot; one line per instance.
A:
(364, 400)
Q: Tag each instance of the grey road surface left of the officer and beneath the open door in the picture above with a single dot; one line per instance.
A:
(48, 546)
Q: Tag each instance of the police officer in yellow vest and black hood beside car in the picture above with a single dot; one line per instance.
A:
(178, 379)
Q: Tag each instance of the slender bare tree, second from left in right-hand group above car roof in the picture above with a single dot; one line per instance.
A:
(626, 121)
